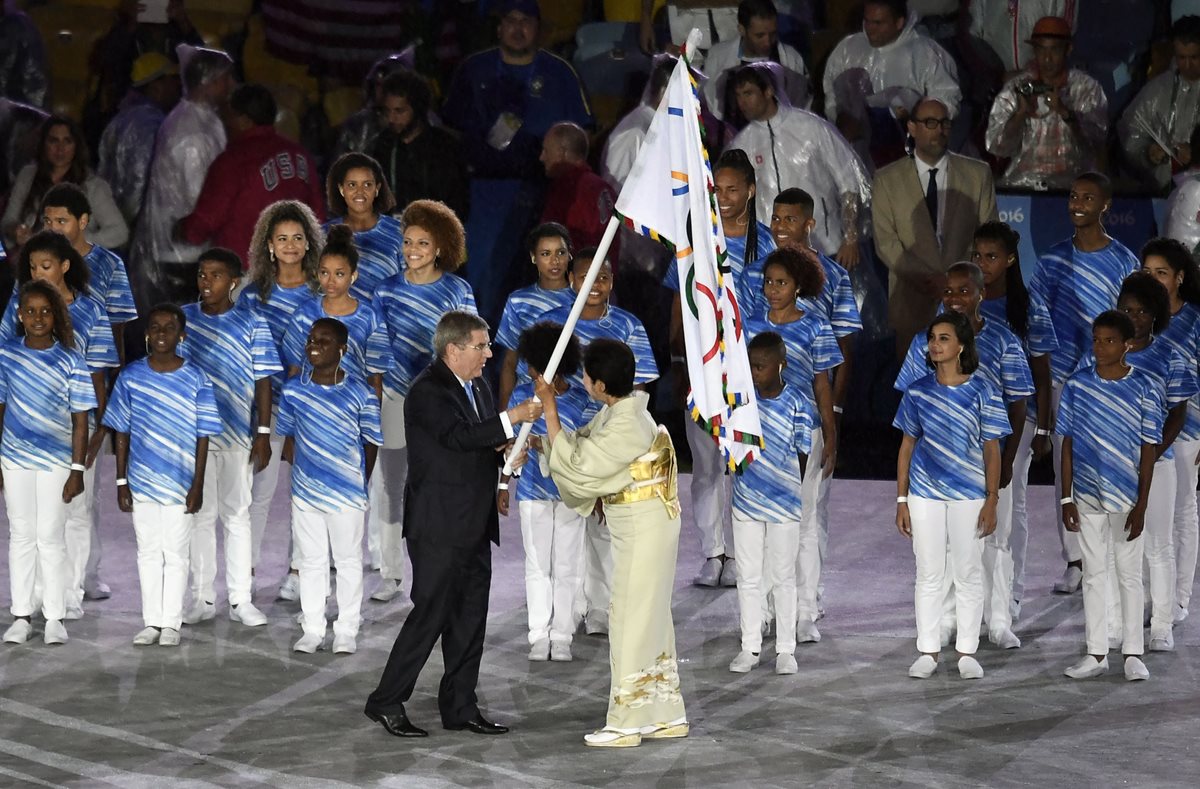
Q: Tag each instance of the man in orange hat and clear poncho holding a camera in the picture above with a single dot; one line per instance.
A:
(1049, 121)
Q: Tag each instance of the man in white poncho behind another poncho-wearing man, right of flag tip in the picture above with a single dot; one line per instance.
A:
(758, 41)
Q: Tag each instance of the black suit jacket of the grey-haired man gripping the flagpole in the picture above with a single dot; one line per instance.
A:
(453, 463)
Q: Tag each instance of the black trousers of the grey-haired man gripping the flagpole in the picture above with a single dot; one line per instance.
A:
(451, 593)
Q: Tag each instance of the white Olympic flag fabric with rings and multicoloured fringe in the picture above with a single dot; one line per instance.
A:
(669, 197)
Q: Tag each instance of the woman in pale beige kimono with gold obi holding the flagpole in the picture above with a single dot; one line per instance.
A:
(627, 462)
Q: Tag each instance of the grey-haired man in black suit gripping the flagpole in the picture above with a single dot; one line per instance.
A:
(454, 433)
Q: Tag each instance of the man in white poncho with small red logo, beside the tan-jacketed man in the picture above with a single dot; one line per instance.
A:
(791, 147)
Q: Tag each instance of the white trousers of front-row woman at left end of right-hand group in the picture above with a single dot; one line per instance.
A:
(935, 526)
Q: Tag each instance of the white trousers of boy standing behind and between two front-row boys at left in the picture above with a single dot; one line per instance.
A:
(229, 480)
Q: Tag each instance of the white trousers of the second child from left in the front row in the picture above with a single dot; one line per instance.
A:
(164, 533)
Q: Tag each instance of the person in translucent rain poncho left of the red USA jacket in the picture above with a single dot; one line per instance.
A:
(193, 136)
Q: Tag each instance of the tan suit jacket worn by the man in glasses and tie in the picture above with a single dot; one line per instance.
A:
(904, 232)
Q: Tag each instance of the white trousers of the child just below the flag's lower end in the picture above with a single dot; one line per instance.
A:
(767, 563)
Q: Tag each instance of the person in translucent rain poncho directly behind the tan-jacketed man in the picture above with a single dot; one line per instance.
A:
(875, 76)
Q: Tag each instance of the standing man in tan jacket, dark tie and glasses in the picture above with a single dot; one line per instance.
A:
(926, 212)
